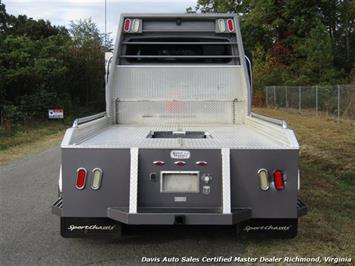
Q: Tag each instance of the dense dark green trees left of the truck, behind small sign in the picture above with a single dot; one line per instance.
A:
(44, 66)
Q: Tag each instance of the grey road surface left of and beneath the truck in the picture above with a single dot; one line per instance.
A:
(29, 233)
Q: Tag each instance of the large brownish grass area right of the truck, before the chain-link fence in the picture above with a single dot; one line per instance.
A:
(327, 166)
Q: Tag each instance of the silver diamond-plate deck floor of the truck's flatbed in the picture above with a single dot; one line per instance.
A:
(234, 136)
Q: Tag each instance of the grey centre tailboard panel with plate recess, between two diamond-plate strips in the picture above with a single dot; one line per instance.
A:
(170, 185)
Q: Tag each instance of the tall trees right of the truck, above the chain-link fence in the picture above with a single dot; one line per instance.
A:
(295, 42)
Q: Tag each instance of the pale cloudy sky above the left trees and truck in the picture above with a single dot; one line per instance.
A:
(63, 11)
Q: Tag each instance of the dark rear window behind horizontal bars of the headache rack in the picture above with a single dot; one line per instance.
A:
(178, 50)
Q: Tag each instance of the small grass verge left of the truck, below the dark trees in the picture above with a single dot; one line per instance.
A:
(25, 140)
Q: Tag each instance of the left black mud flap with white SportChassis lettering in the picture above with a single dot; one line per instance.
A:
(90, 227)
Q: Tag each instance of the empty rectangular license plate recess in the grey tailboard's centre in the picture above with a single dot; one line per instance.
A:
(180, 182)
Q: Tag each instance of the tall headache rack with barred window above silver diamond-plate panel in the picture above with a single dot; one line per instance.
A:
(163, 62)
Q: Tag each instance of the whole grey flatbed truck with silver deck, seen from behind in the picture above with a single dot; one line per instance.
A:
(178, 143)
